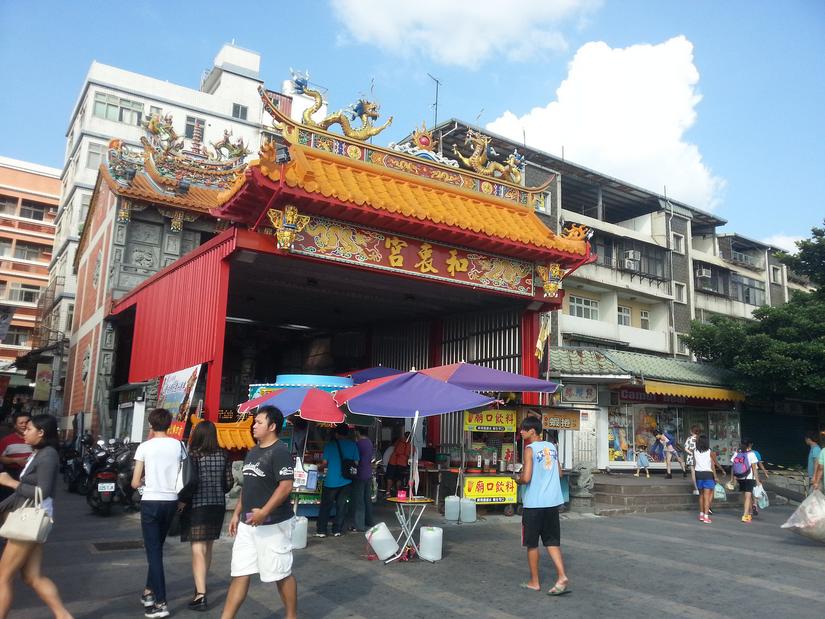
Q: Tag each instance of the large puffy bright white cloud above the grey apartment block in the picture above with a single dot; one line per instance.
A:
(625, 112)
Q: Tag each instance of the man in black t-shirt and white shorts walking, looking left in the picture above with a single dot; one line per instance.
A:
(263, 520)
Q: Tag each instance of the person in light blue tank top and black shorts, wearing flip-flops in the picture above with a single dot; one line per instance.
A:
(541, 499)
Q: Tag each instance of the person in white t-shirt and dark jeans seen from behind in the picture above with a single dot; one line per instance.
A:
(157, 461)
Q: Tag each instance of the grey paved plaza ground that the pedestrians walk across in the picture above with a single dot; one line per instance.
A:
(633, 566)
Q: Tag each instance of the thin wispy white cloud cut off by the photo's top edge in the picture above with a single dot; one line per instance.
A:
(462, 32)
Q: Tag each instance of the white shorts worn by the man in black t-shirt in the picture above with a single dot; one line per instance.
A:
(264, 550)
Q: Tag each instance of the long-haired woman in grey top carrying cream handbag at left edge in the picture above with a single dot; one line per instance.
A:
(40, 472)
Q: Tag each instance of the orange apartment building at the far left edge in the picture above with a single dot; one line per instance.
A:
(29, 195)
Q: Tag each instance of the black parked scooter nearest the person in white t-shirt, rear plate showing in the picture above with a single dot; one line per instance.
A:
(110, 477)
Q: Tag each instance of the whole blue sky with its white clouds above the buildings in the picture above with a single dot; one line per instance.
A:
(720, 102)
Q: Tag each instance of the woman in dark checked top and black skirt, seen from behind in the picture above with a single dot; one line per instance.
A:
(202, 516)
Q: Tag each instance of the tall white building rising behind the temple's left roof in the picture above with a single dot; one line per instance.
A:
(115, 104)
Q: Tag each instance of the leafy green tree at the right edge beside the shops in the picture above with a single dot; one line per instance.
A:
(780, 354)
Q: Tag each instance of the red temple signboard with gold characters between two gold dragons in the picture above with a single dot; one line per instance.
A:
(332, 240)
